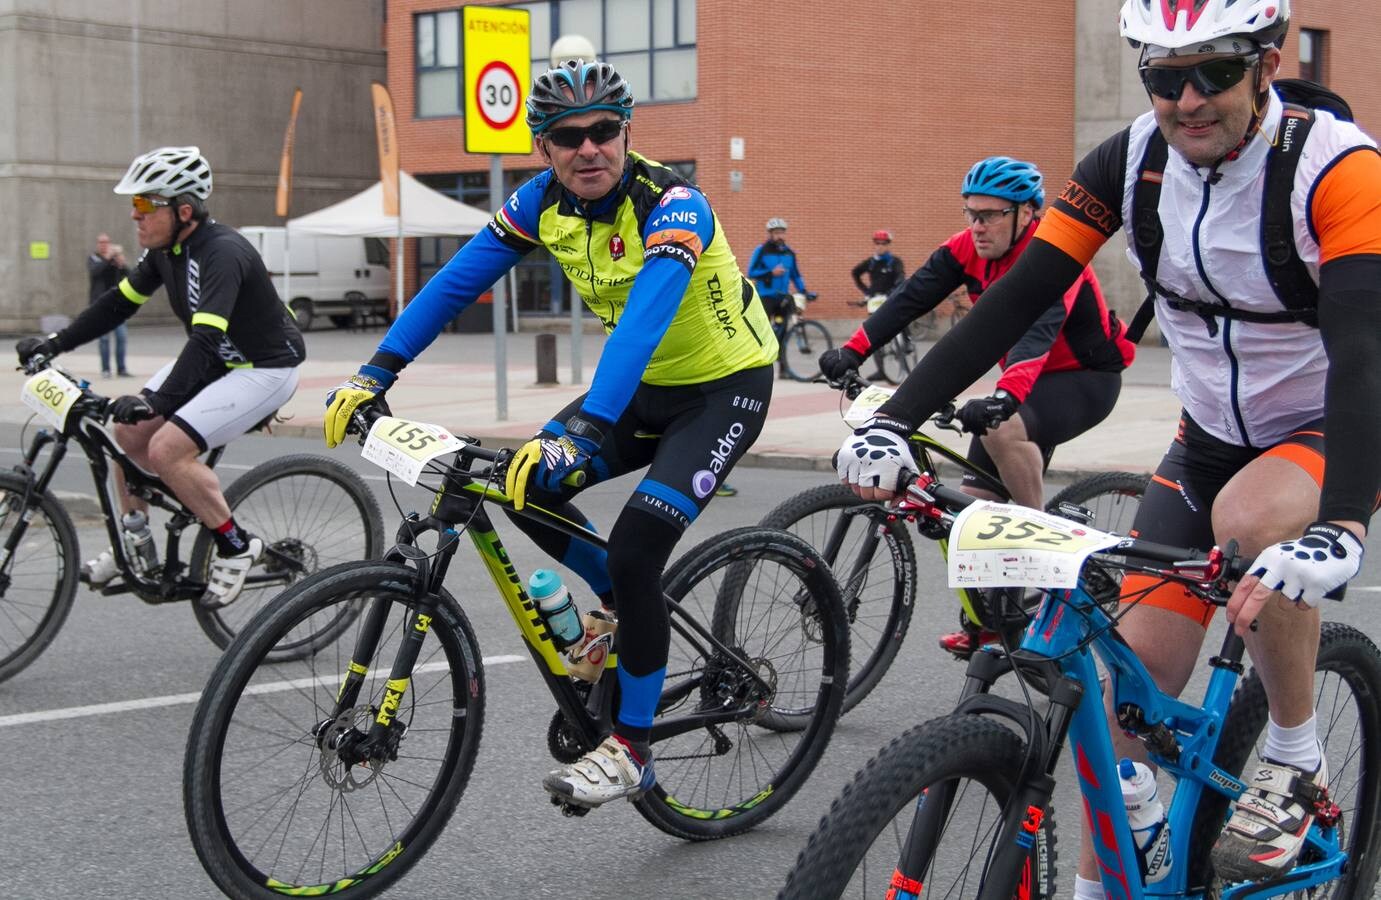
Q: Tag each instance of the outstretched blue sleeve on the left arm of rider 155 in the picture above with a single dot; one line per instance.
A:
(474, 268)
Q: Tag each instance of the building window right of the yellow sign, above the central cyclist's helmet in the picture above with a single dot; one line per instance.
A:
(651, 42)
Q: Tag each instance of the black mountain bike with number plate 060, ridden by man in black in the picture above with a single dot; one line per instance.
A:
(310, 511)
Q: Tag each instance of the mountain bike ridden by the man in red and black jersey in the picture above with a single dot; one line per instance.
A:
(869, 546)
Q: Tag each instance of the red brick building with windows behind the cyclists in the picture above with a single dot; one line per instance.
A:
(853, 117)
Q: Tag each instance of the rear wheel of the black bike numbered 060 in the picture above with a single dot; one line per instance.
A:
(313, 513)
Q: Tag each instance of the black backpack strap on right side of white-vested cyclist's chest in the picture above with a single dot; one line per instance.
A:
(1286, 271)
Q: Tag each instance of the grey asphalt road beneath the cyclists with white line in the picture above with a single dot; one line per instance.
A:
(93, 803)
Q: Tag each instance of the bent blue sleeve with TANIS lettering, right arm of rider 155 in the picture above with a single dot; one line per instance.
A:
(675, 237)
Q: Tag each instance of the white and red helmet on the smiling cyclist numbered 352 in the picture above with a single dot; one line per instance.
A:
(1192, 24)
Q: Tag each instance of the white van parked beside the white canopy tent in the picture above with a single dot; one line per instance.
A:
(345, 280)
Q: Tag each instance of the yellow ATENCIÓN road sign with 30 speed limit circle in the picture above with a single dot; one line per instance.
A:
(498, 75)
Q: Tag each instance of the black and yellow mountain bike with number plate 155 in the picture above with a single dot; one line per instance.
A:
(334, 774)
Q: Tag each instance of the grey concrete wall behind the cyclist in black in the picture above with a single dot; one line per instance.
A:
(88, 86)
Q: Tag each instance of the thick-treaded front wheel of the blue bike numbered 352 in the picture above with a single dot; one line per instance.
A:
(936, 794)
